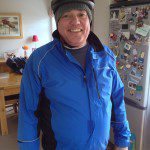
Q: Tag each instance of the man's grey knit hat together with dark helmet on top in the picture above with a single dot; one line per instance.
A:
(61, 6)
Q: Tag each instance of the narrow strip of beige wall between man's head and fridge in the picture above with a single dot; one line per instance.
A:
(101, 20)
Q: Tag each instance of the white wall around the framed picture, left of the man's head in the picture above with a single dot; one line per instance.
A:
(35, 20)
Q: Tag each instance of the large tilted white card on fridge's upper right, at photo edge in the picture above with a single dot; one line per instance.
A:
(143, 30)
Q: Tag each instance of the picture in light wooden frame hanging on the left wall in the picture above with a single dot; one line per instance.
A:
(10, 26)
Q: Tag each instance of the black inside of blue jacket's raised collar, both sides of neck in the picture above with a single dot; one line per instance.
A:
(92, 40)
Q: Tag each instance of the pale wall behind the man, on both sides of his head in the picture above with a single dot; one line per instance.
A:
(35, 20)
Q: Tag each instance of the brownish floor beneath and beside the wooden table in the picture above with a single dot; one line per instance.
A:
(9, 142)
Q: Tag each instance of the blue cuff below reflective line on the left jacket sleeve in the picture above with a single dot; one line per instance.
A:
(34, 145)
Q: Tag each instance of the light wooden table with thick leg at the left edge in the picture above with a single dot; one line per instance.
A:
(8, 86)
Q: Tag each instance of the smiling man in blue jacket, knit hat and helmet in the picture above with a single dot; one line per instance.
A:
(75, 77)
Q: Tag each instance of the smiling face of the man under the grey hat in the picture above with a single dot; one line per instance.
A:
(74, 27)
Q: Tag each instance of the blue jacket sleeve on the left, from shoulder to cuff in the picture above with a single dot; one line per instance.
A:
(29, 96)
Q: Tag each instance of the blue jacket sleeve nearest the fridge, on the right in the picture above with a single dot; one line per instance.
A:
(119, 120)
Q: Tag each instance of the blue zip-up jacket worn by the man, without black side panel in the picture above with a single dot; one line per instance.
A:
(82, 102)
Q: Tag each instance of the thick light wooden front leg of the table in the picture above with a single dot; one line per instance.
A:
(3, 118)
